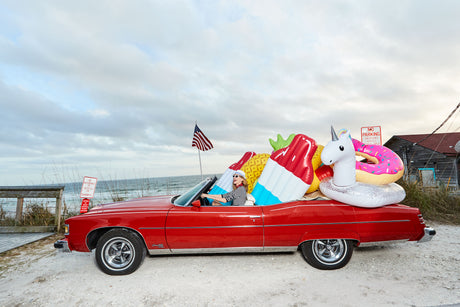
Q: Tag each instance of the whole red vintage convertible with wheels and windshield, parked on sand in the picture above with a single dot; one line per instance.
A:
(325, 231)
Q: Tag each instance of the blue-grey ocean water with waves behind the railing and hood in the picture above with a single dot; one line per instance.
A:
(108, 191)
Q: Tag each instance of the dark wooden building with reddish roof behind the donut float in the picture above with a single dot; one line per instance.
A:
(431, 159)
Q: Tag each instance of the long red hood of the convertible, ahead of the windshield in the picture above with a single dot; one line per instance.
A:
(144, 203)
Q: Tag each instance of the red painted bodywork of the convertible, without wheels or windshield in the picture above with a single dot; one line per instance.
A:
(167, 228)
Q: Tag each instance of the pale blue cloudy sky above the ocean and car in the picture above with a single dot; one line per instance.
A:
(112, 89)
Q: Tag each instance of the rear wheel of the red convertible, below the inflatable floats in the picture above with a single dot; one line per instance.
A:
(327, 254)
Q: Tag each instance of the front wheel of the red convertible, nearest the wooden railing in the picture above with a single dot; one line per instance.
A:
(119, 252)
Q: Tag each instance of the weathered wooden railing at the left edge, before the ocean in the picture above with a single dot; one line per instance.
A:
(21, 192)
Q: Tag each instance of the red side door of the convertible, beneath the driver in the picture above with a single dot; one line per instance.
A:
(214, 228)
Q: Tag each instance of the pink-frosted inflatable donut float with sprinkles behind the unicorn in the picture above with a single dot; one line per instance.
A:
(385, 165)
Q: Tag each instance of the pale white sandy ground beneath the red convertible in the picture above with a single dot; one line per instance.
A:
(402, 274)
